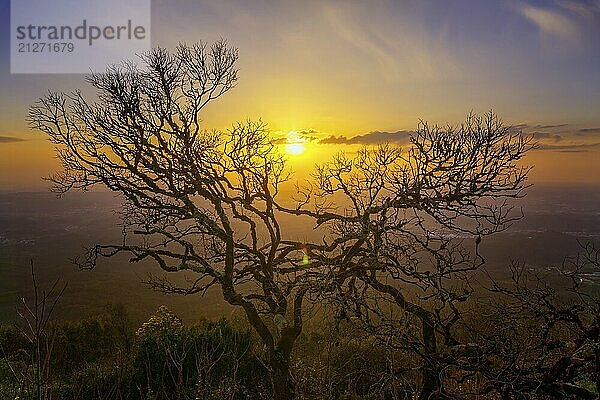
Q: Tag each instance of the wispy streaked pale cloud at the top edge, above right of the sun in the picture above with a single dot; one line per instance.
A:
(389, 45)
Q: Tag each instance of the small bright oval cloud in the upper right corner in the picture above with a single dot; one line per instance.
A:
(551, 22)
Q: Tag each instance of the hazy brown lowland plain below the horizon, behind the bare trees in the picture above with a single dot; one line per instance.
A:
(52, 231)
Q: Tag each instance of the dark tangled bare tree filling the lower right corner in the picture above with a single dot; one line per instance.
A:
(541, 335)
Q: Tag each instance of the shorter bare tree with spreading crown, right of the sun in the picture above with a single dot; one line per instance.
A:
(405, 226)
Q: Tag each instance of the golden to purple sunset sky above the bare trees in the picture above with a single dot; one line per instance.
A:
(345, 73)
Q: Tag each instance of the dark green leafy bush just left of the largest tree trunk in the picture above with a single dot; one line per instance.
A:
(177, 362)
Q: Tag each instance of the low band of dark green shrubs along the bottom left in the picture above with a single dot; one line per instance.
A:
(102, 357)
